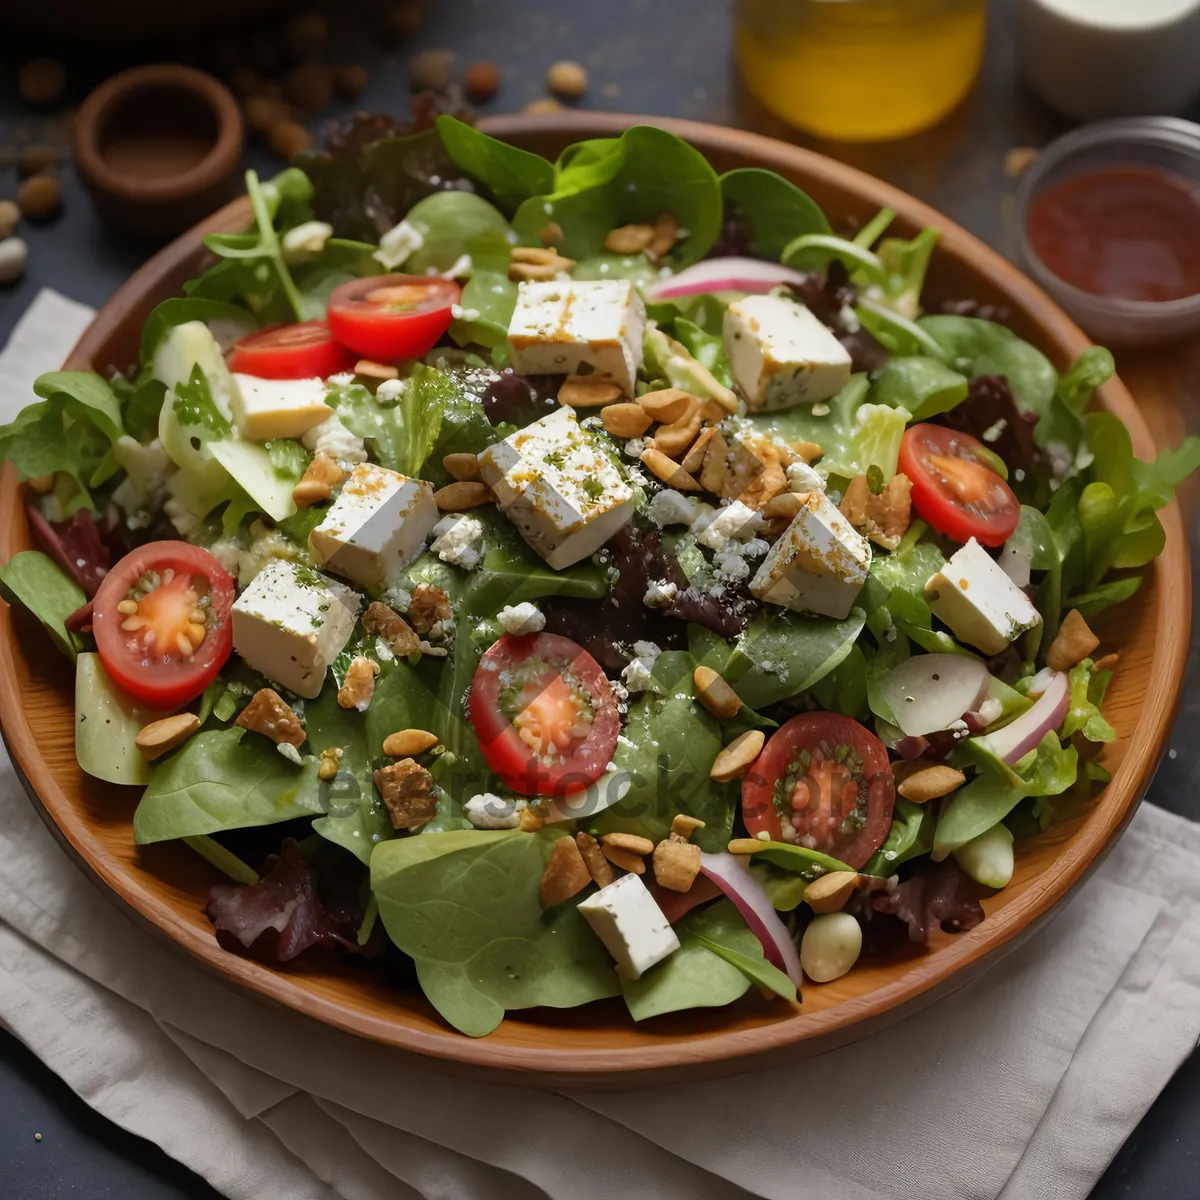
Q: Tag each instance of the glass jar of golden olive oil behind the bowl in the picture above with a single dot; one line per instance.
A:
(861, 70)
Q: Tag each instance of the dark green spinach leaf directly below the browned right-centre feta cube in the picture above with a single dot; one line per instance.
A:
(782, 655)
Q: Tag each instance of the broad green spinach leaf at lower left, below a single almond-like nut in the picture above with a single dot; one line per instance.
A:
(224, 779)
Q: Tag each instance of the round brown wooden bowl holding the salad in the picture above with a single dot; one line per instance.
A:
(598, 1045)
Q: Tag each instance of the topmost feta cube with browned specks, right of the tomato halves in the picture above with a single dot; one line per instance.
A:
(579, 328)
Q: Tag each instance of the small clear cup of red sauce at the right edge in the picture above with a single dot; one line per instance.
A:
(1109, 225)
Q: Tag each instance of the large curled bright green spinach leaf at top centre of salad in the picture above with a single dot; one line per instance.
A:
(637, 178)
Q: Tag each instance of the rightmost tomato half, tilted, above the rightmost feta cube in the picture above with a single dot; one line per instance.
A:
(953, 487)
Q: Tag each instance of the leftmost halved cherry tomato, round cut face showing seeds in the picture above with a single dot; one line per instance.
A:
(161, 622)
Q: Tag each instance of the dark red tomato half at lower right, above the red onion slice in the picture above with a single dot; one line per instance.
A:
(830, 779)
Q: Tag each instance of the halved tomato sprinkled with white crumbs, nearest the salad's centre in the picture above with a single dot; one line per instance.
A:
(545, 715)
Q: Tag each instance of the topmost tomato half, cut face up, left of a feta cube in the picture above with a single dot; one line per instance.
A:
(393, 317)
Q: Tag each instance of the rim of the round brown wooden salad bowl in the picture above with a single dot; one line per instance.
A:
(722, 1052)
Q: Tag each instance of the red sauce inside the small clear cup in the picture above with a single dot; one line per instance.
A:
(1127, 233)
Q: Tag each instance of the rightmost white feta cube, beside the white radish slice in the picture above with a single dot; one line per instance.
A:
(981, 604)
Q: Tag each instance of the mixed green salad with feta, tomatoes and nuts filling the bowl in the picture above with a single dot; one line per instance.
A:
(544, 583)
